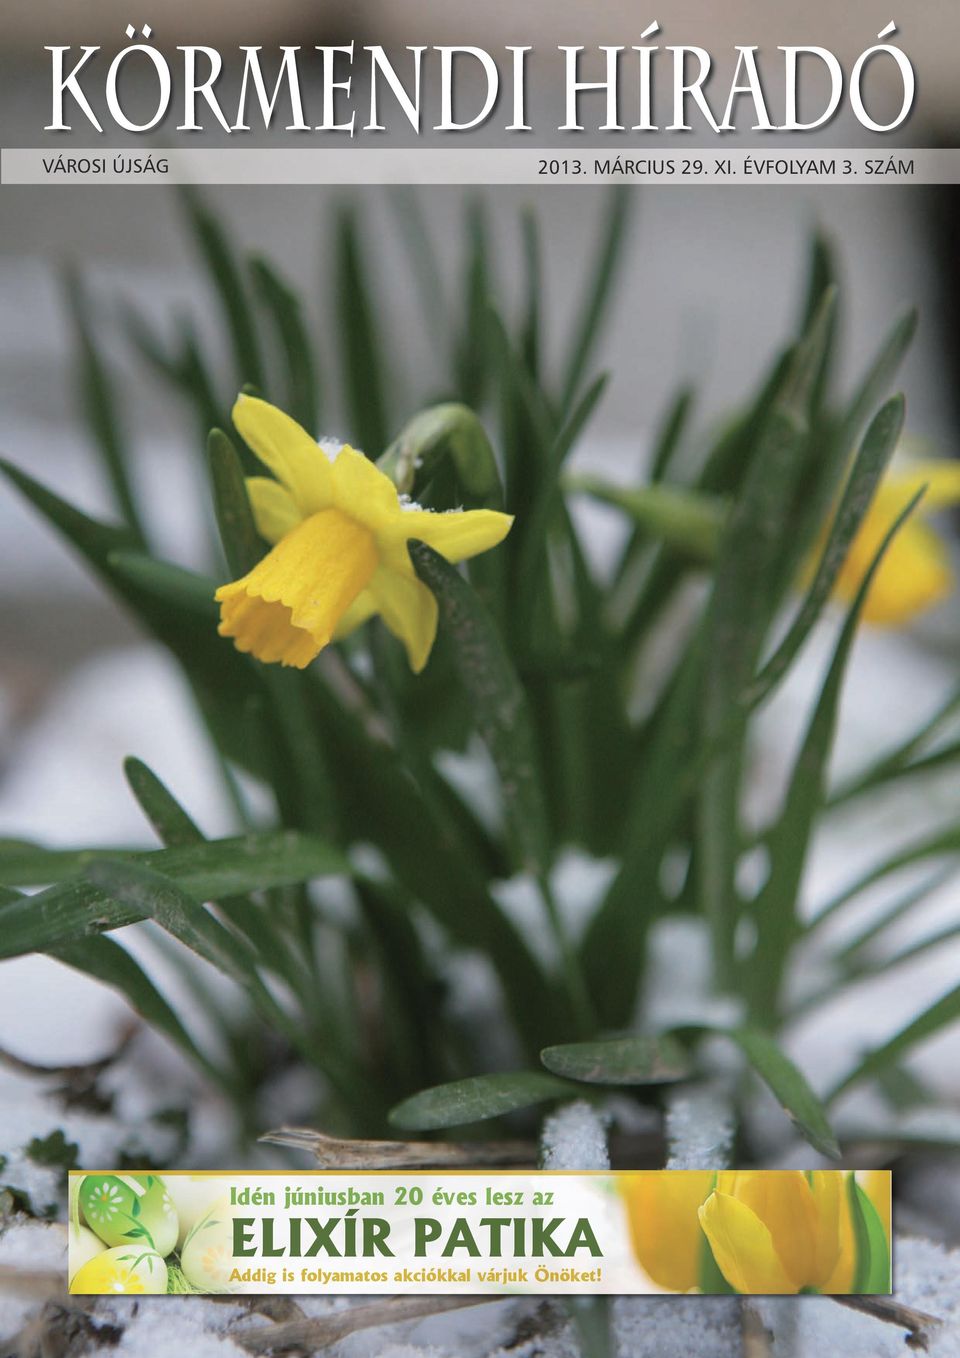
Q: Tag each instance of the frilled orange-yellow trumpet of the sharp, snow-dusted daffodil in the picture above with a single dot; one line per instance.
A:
(290, 605)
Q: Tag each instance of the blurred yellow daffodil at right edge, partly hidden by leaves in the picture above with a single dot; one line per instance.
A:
(916, 574)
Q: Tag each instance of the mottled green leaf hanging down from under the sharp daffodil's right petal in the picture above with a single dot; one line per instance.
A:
(500, 704)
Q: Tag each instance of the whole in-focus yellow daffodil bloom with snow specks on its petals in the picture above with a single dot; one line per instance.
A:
(340, 536)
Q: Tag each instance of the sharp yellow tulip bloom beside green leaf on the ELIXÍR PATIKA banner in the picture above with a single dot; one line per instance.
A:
(776, 1232)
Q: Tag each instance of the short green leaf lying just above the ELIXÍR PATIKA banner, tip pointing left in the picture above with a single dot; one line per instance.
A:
(479, 1099)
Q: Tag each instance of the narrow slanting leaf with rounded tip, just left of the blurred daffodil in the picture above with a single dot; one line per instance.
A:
(872, 461)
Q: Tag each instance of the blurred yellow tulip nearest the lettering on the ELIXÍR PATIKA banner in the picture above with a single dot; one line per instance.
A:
(662, 1211)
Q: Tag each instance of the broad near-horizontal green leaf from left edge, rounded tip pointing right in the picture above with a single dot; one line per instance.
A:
(211, 871)
